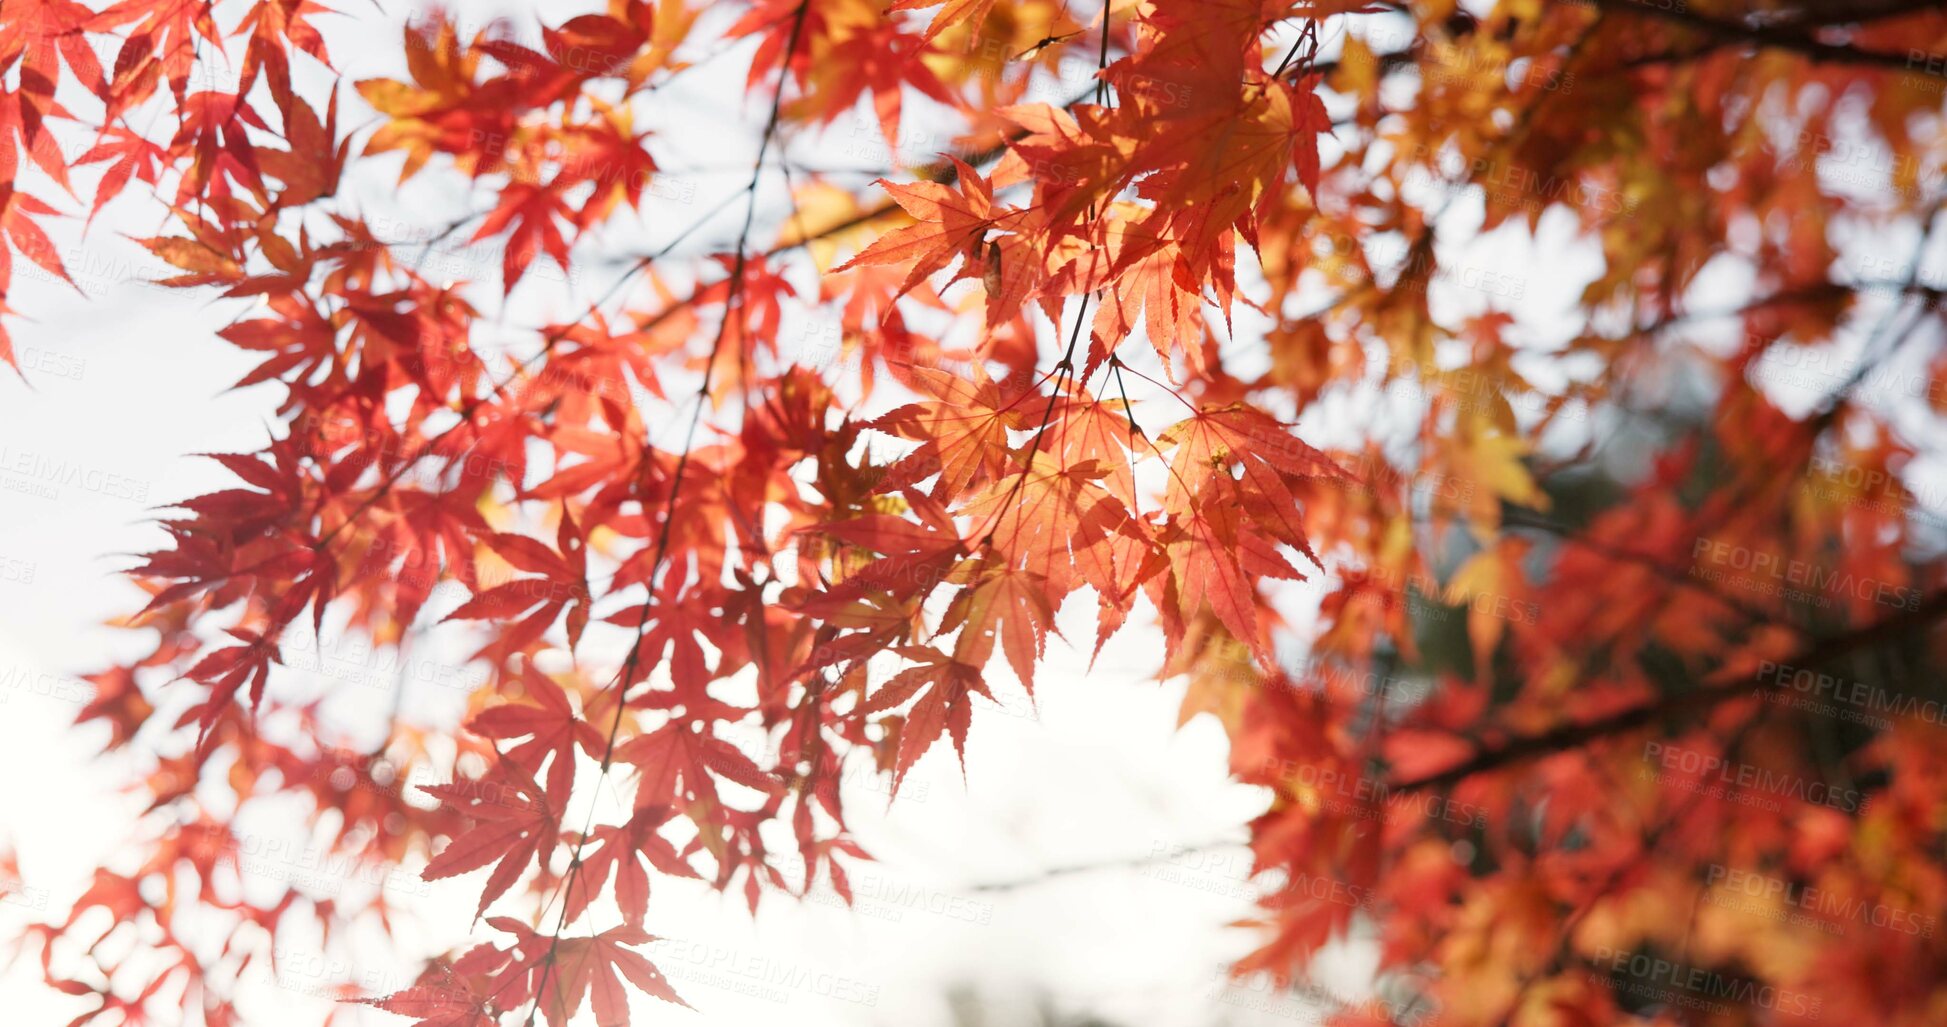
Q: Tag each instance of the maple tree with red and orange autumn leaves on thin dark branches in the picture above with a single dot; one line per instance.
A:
(1198, 338)
